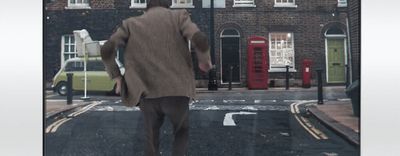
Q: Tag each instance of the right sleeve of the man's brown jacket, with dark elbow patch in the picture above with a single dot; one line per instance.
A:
(191, 32)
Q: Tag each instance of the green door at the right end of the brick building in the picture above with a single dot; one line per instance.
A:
(336, 64)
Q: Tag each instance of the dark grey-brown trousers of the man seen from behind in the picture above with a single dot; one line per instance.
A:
(176, 108)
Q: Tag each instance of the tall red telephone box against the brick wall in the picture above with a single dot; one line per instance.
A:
(257, 63)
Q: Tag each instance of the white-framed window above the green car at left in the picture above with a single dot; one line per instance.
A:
(68, 49)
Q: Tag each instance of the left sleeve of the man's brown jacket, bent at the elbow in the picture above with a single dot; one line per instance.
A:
(109, 49)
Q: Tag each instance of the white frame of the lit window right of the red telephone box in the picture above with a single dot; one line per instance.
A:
(281, 68)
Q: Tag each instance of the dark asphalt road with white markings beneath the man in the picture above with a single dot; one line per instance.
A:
(220, 124)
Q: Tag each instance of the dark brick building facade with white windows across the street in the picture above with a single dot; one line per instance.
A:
(295, 30)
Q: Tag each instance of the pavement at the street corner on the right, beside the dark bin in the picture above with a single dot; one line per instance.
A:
(338, 116)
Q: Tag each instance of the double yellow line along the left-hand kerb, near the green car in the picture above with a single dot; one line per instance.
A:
(55, 125)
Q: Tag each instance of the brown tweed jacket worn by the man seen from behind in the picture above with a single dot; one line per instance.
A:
(157, 59)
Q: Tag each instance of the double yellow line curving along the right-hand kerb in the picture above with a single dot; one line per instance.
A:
(305, 123)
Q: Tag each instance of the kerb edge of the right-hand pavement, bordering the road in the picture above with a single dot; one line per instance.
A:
(343, 131)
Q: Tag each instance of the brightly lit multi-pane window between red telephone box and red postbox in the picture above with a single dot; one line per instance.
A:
(281, 51)
